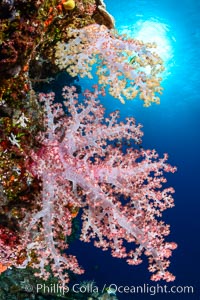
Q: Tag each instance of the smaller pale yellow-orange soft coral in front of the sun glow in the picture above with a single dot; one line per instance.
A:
(128, 67)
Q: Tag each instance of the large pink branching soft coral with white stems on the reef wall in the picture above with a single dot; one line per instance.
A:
(79, 167)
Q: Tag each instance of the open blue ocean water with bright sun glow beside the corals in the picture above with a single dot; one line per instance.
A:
(172, 127)
